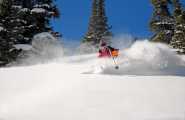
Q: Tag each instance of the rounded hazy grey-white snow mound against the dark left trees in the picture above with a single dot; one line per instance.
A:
(44, 48)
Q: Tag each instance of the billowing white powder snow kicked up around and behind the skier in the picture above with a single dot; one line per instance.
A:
(145, 58)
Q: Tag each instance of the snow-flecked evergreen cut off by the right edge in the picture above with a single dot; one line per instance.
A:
(178, 40)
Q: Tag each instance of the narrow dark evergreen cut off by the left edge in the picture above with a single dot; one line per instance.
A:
(8, 52)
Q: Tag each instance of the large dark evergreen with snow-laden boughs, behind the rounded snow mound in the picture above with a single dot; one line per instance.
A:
(27, 18)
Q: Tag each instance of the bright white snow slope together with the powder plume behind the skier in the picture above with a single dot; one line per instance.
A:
(150, 85)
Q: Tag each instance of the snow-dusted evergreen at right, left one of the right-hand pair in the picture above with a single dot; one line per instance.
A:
(162, 23)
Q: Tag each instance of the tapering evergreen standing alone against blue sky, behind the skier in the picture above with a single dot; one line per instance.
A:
(98, 27)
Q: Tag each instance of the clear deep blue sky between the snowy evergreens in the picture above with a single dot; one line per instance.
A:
(125, 16)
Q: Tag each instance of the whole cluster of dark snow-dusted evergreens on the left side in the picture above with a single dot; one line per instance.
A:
(20, 20)
